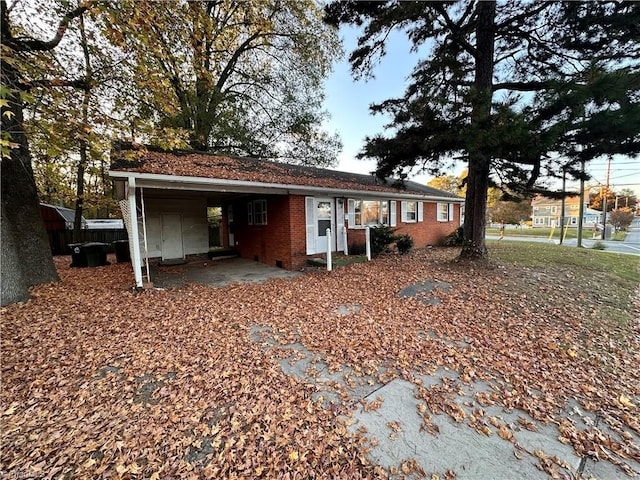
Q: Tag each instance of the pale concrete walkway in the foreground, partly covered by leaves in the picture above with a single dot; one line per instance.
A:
(411, 436)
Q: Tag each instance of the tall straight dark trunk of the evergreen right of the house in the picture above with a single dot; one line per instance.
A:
(479, 154)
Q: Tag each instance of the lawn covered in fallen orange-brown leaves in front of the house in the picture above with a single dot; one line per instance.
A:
(101, 382)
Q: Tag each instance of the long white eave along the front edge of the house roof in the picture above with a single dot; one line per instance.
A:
(177, 182)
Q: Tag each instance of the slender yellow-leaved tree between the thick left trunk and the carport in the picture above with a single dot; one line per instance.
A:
(69, 123)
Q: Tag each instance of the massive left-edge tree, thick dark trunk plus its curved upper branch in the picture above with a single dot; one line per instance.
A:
(26, 256)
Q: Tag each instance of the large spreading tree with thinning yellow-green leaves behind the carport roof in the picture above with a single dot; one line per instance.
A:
(236, 77)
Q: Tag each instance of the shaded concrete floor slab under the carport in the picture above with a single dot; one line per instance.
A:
(216, 273)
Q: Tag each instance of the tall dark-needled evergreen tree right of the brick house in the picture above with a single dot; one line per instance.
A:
(503, 87)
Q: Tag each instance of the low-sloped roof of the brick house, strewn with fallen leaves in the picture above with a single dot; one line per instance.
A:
(190, 166)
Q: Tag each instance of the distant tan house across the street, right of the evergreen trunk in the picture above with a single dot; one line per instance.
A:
(546, 212)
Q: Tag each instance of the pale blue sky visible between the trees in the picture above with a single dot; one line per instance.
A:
(347, 101)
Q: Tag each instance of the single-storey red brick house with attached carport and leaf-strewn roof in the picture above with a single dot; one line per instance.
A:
(274, 213)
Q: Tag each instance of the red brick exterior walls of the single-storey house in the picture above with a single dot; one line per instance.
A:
(282, 241)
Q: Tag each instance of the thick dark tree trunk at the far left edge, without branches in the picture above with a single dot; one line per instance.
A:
(25, 254)
